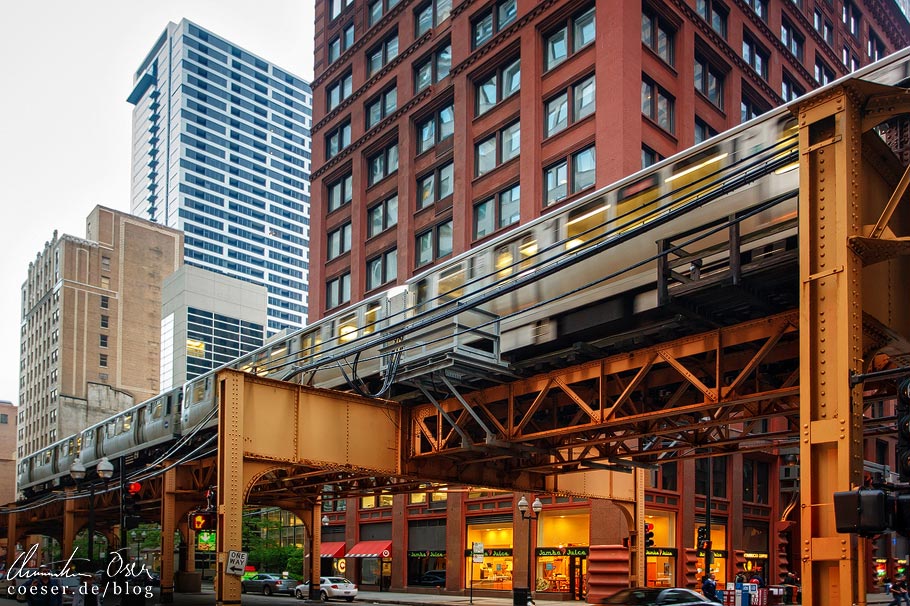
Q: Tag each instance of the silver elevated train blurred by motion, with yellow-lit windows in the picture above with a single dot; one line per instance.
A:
(588, 250)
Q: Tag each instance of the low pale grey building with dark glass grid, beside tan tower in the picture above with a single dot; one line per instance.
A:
(207, 319)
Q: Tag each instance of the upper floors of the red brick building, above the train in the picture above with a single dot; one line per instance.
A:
(439, 123)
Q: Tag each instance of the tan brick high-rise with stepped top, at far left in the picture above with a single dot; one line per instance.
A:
(91, 321)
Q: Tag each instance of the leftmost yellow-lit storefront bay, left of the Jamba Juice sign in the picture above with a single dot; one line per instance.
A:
(495, 534)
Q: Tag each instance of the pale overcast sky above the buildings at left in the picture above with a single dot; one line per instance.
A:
(65, 126)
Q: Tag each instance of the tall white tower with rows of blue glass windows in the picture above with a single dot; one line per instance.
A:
(221, 151)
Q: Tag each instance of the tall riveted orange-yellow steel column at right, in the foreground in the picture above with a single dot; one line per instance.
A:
(830, 427)
